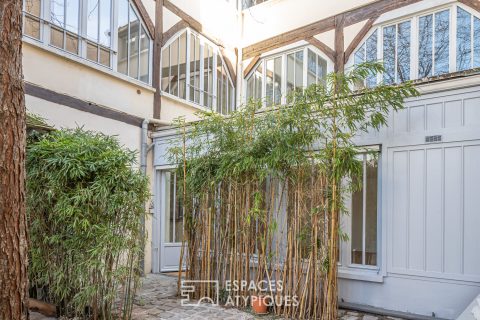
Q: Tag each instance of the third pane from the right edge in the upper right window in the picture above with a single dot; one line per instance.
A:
(442, 25)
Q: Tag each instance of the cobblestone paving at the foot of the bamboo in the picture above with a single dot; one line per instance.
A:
(157, 300)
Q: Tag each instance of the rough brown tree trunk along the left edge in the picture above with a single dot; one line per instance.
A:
(13, 224)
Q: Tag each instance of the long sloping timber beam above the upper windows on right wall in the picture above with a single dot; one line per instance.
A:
(351, 17)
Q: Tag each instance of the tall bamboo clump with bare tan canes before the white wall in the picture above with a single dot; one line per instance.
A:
(268, 184)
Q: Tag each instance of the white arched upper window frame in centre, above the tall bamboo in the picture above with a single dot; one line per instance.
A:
(283, 54)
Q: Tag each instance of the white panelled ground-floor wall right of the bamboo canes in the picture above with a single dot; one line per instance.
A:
(429, 209)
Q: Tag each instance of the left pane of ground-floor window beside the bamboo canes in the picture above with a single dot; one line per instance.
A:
(357, 222)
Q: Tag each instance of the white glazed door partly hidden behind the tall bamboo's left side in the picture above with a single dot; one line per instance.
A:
(169, 224)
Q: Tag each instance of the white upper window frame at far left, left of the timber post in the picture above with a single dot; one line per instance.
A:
(45, 36)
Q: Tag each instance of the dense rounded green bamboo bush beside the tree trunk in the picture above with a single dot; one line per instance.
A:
(85, 202)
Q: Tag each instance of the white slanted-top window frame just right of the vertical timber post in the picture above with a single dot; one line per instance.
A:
(217, 57)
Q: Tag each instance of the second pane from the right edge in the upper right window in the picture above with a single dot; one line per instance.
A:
(464, 39)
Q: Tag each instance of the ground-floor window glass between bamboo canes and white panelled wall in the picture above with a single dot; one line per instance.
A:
(364, 213)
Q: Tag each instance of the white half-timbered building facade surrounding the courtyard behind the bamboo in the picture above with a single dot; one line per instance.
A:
(414, 243)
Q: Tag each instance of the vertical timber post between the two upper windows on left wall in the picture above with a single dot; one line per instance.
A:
(157, 56)
